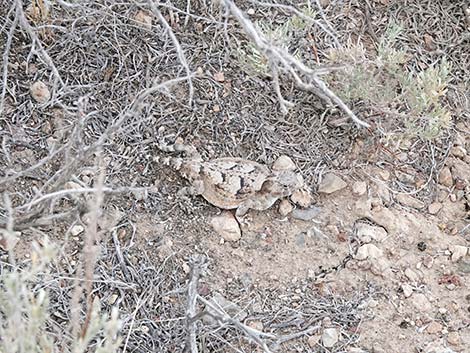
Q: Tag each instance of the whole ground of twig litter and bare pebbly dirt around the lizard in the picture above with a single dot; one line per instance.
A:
(381, 265)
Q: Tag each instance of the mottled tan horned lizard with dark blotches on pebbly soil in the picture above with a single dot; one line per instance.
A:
(236, 183)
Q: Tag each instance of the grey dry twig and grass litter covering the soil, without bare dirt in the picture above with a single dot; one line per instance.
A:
(117, 86)
